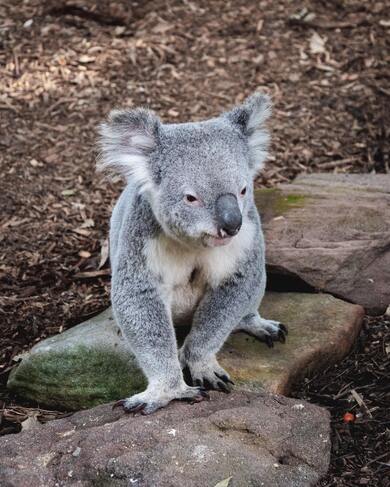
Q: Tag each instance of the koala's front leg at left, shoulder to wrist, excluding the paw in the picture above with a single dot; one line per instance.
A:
(137, 304)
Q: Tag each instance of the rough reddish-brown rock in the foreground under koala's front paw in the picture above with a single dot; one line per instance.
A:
(257, 439)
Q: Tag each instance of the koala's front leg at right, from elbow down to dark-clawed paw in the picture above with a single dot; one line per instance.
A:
(215, 318)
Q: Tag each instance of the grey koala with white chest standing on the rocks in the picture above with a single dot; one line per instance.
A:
(186, 244)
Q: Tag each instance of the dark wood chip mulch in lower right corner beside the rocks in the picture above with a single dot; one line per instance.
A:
(357, 394)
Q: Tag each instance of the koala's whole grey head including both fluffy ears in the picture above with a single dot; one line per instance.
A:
(198, 177)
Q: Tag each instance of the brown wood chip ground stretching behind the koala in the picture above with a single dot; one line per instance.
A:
(64, 65)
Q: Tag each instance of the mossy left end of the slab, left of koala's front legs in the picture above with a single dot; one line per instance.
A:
(80, 368)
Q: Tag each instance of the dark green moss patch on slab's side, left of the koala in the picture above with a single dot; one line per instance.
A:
(78, 378)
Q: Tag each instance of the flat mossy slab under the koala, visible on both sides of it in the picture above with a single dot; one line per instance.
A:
(89, 364)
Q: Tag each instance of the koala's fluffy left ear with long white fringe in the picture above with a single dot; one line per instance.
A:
(126, 141)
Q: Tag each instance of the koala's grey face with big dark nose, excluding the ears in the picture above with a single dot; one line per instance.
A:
(203, 182)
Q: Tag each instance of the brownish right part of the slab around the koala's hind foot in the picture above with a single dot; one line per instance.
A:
(322, 330)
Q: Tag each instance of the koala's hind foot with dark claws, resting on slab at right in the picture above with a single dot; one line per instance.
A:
(267, 331)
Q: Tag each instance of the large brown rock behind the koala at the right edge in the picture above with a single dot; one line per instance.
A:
(333, 231)
